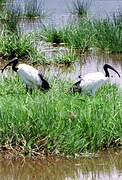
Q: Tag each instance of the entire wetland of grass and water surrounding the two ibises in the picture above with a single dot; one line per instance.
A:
(57, 135)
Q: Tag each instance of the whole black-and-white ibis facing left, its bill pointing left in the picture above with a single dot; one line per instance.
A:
(31, 77)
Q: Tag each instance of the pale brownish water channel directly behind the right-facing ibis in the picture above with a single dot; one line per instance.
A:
(90, 62)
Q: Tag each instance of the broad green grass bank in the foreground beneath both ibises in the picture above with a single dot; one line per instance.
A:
(58, 122)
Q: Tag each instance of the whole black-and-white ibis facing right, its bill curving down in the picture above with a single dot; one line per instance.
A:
(91, 81)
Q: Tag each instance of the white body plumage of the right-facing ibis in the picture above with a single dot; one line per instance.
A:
(92, 81)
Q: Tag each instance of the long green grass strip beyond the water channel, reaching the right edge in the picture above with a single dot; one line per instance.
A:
(87, 34)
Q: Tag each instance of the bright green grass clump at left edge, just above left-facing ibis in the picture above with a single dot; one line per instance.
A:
(14, 44)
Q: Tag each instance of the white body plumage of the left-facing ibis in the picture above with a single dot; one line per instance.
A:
(29, 75)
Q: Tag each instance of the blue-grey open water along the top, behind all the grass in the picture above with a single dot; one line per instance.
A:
(58, 12)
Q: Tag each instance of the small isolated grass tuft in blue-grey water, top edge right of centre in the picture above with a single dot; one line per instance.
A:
(80, 7)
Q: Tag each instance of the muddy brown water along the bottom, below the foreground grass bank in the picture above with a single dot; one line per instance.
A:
(104, 166)
